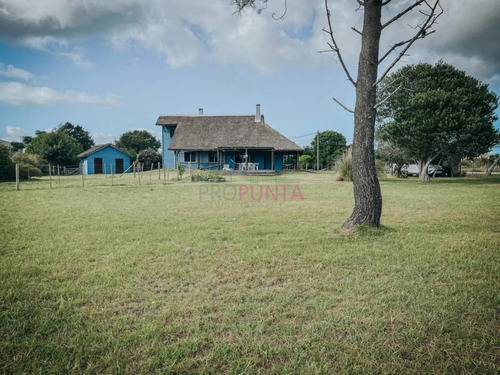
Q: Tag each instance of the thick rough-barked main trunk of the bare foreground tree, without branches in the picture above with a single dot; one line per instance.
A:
(367, 195)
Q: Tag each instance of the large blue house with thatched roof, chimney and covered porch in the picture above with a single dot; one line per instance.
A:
(225, 142)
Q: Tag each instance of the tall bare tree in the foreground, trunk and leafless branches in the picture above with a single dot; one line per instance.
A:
(367, 195)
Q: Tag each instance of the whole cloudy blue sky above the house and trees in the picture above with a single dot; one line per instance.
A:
(114, 66)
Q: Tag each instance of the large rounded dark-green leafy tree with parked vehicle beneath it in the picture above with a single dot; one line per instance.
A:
(438, 111)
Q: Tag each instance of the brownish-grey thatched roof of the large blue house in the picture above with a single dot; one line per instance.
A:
(203, 133)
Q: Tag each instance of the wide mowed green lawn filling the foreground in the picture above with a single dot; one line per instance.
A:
(176, 279)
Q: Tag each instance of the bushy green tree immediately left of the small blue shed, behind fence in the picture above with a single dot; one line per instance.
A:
(55, 147)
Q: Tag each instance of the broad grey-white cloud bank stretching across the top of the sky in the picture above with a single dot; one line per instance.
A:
(187, 33)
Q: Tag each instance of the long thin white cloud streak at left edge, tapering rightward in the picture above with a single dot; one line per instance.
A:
(19, 93)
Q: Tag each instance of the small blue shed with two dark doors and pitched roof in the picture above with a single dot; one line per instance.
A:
(100, 158)
